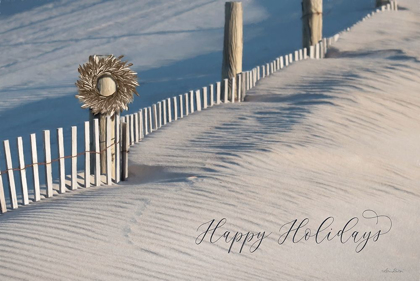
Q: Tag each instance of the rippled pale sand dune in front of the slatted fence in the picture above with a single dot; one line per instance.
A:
(323, 138)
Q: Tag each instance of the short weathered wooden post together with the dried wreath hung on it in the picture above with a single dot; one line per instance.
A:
(106, 86)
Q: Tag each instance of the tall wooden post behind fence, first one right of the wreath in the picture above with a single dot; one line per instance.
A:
(233, 44)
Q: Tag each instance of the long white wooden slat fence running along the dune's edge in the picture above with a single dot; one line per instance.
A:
(129, 130)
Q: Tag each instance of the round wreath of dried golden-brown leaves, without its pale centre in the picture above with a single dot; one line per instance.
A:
(106, 66)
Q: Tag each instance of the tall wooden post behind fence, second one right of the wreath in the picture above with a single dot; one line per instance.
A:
(311, 22)
